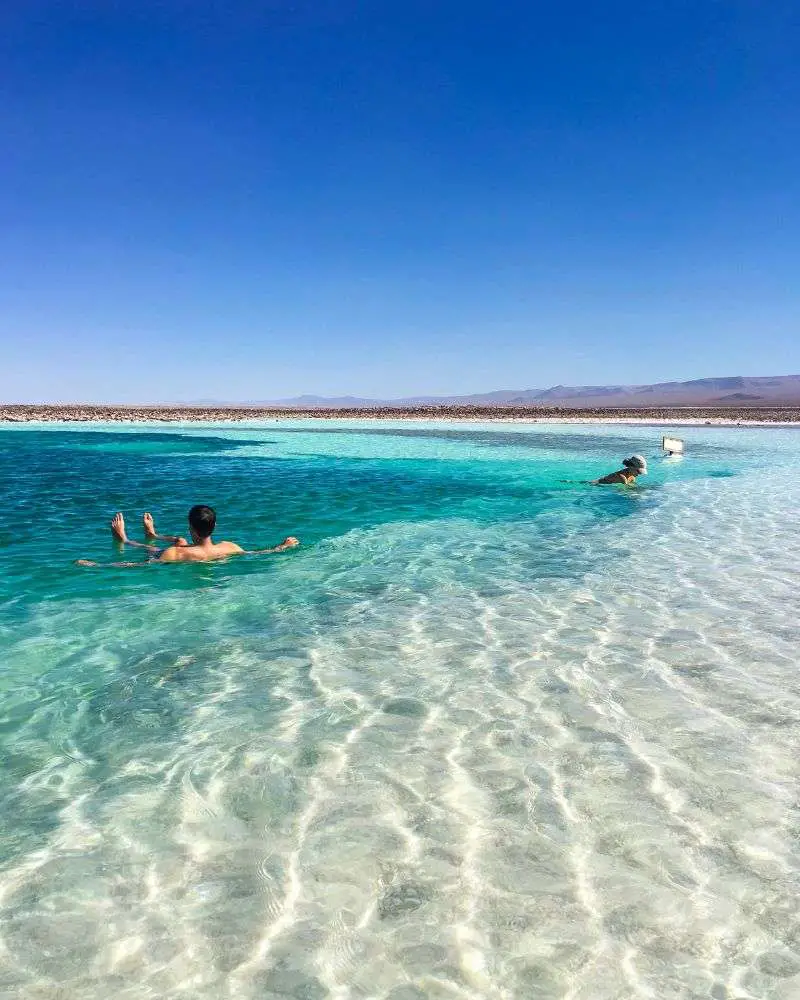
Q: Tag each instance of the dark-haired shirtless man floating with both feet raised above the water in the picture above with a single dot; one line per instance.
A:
(202, 548)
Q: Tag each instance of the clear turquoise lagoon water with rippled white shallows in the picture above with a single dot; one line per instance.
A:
(487, 734)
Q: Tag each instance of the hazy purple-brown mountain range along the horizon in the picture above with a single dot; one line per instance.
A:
(737, 390)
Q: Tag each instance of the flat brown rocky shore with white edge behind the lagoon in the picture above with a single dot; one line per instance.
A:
(86, 413)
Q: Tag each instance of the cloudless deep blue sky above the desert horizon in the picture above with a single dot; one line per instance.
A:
(386, 198)
